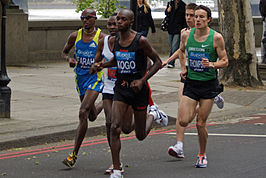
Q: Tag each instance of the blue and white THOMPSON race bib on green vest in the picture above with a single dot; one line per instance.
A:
(195, 59)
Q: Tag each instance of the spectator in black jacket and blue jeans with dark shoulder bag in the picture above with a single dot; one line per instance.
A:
(176, 10)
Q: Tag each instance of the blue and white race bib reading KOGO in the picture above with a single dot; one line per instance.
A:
(125, 62)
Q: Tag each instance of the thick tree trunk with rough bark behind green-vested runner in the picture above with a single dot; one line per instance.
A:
(236, 24)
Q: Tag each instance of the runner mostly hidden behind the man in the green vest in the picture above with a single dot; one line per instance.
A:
(177, 149)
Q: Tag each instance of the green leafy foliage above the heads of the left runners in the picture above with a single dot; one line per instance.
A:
(102, 7)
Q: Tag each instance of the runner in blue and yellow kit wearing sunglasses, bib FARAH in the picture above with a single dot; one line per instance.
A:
(85, 42)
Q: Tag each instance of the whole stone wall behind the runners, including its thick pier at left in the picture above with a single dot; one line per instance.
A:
(39, 41)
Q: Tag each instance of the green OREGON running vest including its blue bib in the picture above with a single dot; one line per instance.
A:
(196, 51)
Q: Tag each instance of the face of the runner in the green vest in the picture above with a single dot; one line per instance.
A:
(201, 19)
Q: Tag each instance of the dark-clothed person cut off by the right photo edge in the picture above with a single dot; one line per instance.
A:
(262, 7)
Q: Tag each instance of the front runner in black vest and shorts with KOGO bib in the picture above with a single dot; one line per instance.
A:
(131, 51)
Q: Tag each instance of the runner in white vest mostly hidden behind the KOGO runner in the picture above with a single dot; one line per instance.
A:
(109, 82)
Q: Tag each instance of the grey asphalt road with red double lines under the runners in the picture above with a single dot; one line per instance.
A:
(234, 150)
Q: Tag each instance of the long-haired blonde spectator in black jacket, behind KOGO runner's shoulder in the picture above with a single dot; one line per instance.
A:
(144, 18)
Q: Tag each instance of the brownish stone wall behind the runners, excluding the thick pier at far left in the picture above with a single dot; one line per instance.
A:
(47, 38)
